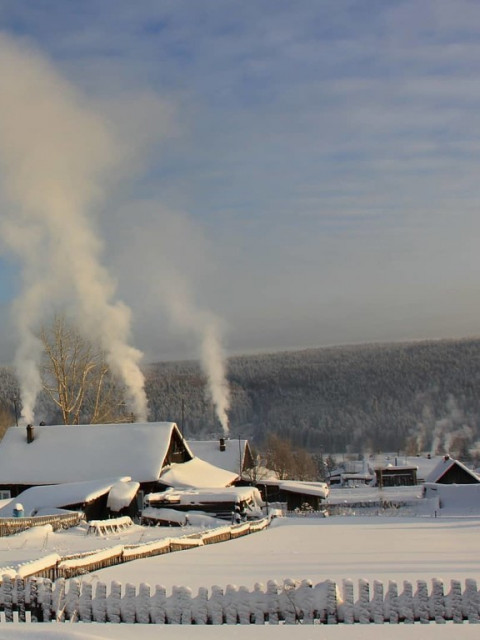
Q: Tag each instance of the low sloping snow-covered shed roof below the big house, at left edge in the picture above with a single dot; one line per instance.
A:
(60, 495)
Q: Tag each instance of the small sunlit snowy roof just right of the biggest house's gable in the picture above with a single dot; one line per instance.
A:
(197, 473)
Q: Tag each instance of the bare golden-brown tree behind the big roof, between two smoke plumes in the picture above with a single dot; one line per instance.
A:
(76, 377)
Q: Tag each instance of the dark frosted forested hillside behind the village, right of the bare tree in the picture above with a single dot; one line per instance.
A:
(421, 395)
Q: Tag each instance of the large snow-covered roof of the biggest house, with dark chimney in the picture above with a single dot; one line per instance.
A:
(78, 453)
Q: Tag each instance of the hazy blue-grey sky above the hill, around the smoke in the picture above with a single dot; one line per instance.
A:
(308, 171)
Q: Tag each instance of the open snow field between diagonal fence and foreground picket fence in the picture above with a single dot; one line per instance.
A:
(321, 548)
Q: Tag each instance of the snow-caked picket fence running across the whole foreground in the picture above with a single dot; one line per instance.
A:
(293, 602)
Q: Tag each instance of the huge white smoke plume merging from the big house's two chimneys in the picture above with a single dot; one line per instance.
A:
(54, 154)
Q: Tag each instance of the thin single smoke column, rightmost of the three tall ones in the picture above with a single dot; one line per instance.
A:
(185, 314)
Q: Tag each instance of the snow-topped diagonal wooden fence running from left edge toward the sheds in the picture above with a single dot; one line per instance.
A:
(53, 566)
